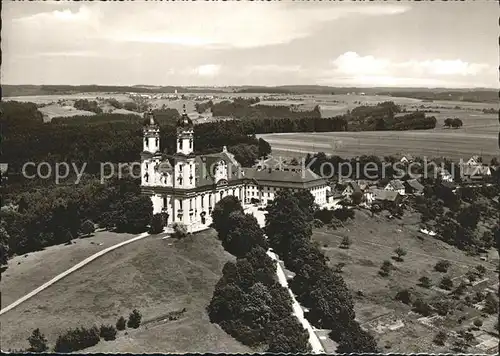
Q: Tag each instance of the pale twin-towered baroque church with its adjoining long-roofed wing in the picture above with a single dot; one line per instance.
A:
(186, 187)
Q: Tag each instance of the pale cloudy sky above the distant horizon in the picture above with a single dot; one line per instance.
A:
(390, 44)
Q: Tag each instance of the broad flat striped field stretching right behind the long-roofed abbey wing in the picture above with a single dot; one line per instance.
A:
(451, 143)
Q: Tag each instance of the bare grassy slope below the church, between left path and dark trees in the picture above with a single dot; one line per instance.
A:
(155, 276)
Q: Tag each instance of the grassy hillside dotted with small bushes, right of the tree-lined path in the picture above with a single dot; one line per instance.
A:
(373, 241)
